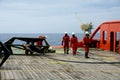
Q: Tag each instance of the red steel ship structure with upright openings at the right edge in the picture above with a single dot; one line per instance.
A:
(109, 36)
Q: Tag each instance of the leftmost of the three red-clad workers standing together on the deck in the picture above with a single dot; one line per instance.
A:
(65, 43)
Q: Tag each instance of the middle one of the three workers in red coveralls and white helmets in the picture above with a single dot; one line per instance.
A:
(74, 43)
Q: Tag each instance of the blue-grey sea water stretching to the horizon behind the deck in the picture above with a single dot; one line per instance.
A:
(54, 39)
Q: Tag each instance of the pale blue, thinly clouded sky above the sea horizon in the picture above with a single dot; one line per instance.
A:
(55, 16)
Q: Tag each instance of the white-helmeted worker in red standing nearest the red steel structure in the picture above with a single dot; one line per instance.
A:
(86, 43)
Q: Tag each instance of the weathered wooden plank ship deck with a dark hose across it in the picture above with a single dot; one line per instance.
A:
(102, 65)
